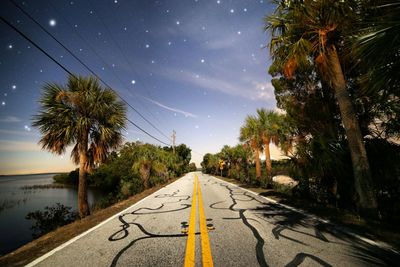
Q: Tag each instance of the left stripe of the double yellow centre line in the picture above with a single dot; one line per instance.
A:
(190, 243)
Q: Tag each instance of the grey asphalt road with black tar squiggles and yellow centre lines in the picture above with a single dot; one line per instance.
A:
(244, 230)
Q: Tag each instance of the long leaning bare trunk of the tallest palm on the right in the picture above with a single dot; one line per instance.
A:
(365, 197)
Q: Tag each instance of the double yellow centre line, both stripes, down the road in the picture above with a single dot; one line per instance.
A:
(191, 240)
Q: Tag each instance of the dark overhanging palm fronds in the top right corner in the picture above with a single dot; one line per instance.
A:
(378, 44)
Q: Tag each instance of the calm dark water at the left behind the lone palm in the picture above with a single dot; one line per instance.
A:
(16, 203)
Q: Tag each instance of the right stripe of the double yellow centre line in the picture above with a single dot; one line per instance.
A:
(205, 242)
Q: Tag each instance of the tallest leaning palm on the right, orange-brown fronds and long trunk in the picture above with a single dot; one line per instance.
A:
(311, 32)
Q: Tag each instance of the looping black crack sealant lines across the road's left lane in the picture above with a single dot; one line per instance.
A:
(123, 232)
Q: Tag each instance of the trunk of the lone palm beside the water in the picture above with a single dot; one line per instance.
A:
(83, 205)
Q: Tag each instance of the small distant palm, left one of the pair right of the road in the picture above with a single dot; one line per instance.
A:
(250, 134)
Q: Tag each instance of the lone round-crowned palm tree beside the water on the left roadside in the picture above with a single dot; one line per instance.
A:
(85, 115)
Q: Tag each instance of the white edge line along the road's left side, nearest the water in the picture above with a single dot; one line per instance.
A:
(51, 252)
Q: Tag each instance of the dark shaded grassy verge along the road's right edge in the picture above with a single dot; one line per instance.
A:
(374, 230)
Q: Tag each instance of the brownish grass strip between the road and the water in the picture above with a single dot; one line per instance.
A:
(49, 241)
